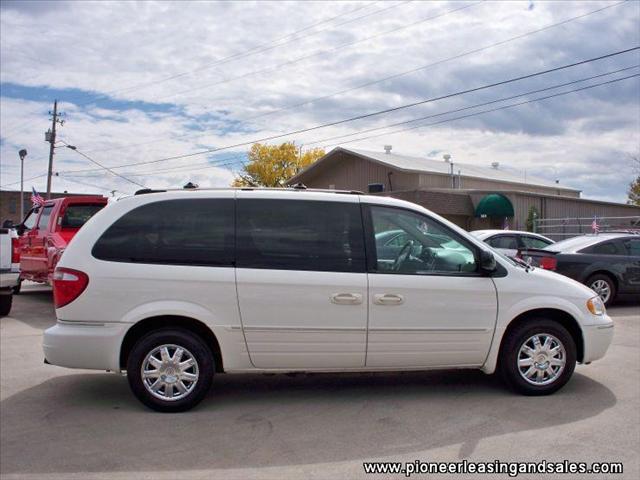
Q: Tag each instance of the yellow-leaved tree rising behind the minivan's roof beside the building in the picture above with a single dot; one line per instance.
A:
(273, 165)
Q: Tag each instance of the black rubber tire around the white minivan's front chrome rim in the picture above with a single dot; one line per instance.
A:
(508, 361)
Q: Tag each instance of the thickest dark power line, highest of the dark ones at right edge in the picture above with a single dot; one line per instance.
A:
(380, 112)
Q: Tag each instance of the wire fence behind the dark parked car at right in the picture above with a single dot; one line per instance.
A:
(561, 228)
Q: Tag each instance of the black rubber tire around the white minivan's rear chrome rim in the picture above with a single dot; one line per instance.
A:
(181, 338)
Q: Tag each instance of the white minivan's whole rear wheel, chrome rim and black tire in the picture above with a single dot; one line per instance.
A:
(170, 370)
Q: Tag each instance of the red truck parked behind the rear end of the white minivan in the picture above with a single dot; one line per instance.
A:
(47, 230)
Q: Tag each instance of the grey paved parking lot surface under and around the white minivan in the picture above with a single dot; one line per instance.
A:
(59, 423)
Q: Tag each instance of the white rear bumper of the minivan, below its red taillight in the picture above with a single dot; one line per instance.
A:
(84, 345)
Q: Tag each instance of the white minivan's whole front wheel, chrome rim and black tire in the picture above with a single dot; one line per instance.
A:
(538, 357)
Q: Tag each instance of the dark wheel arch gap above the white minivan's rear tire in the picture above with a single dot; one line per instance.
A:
(142, 327)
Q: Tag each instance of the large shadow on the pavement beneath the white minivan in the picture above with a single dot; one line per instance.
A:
(92, 423)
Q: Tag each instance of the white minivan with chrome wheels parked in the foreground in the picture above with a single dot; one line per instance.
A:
(174, 287)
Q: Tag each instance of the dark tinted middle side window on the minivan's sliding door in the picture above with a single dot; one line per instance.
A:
(300, 235)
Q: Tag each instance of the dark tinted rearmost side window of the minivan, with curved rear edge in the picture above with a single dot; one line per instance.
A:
(172, 232)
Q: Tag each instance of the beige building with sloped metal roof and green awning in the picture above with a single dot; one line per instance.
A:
(473, 197)
